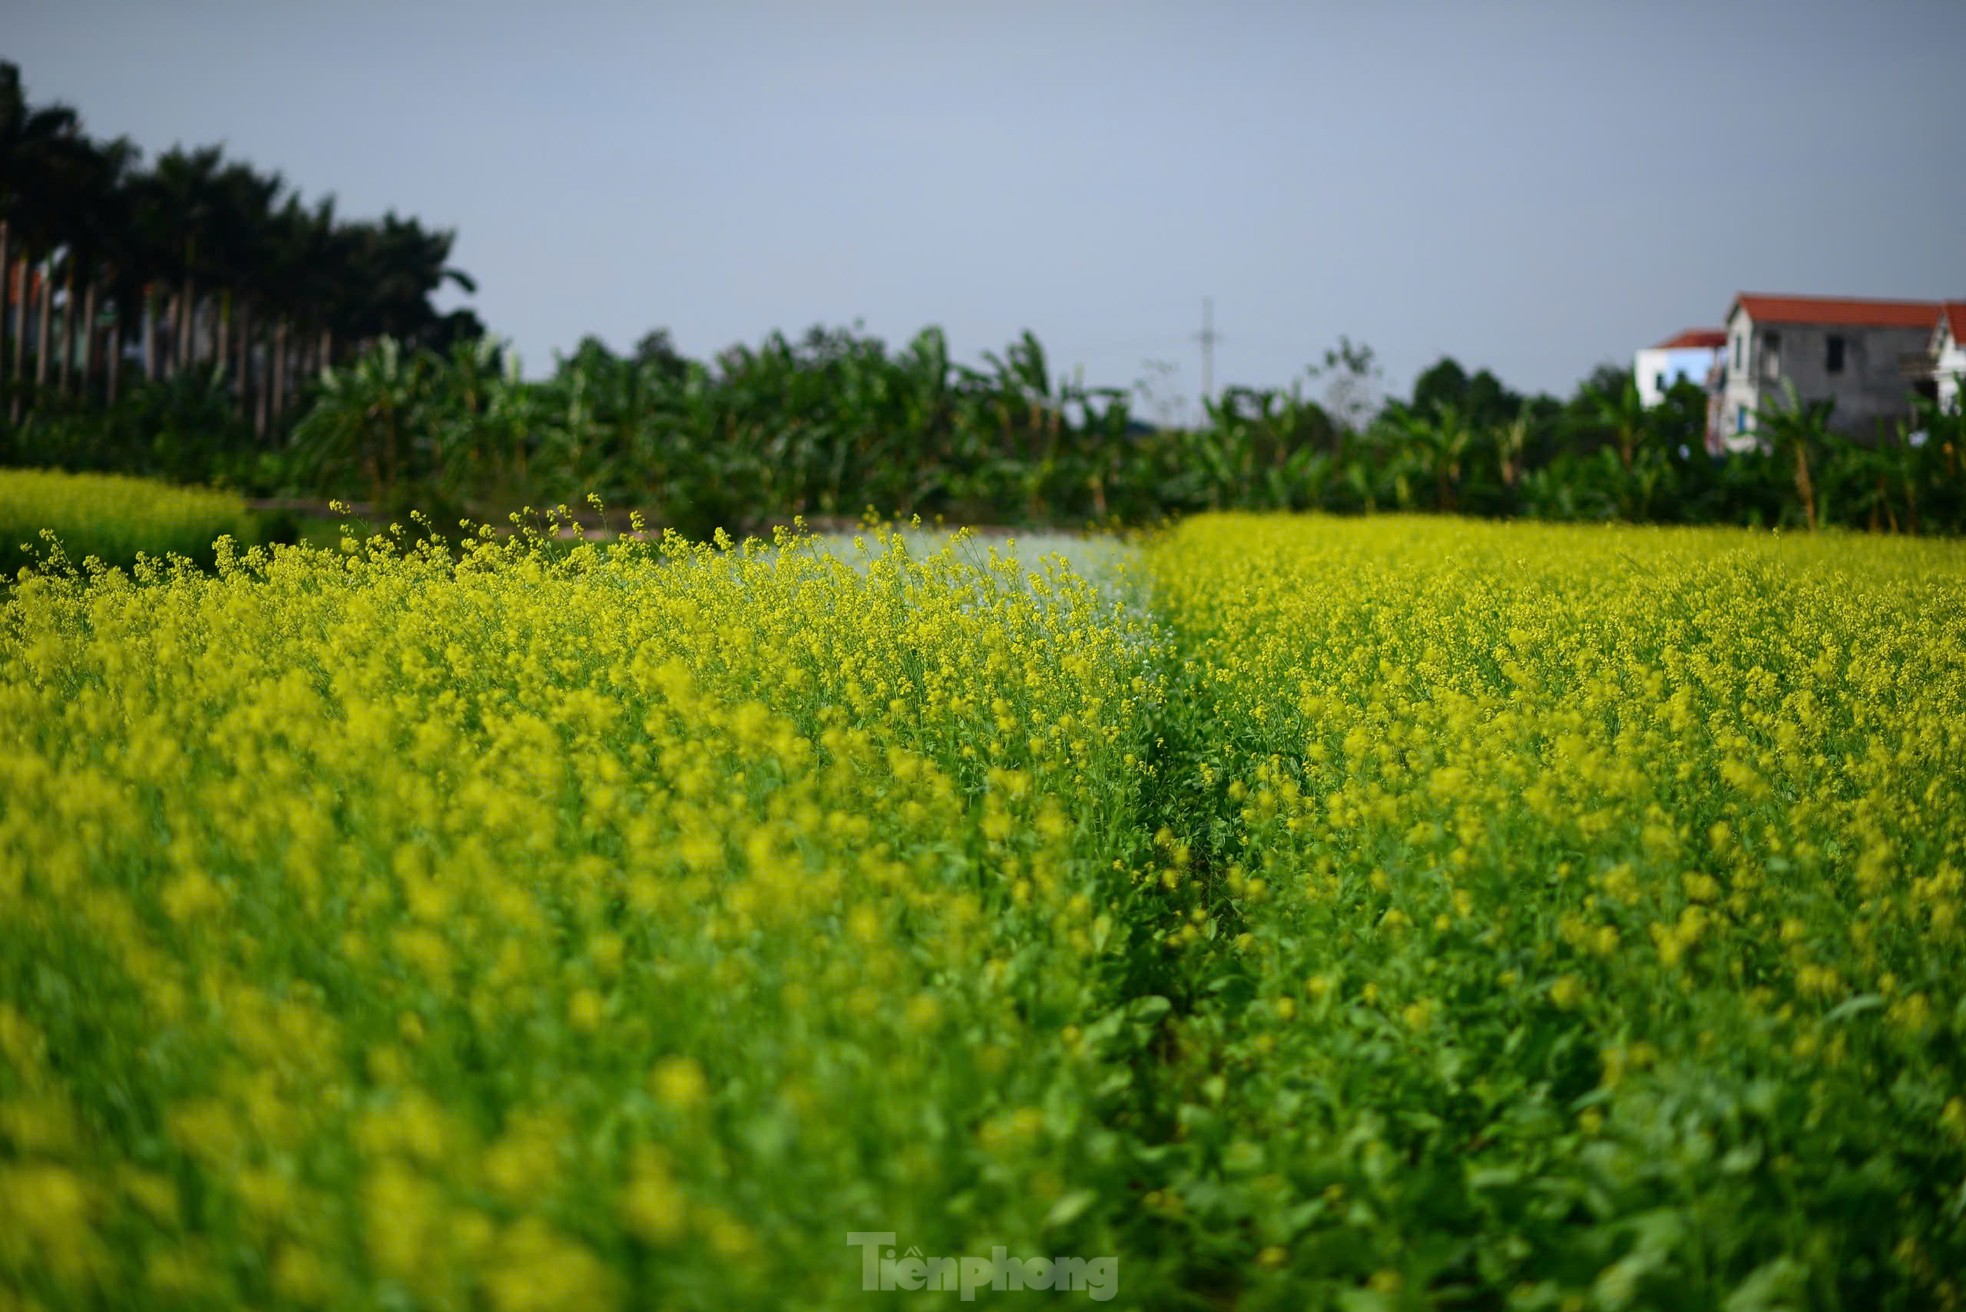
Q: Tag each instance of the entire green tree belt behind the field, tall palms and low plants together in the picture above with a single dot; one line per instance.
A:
(286, 351)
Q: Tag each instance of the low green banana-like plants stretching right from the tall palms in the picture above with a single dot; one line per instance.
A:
(837, 422)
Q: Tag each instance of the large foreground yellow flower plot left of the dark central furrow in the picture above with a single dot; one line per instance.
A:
(542, 933)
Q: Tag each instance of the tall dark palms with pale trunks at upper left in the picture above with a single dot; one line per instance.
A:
(117, 272)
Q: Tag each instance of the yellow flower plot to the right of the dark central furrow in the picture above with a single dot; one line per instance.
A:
(1590, 910)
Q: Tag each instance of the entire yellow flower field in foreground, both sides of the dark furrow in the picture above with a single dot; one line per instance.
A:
(1302, 914)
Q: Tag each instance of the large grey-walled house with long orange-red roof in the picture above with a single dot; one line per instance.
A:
(1863, 355)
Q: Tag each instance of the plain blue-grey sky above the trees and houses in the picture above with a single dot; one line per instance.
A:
(1534, 188)
